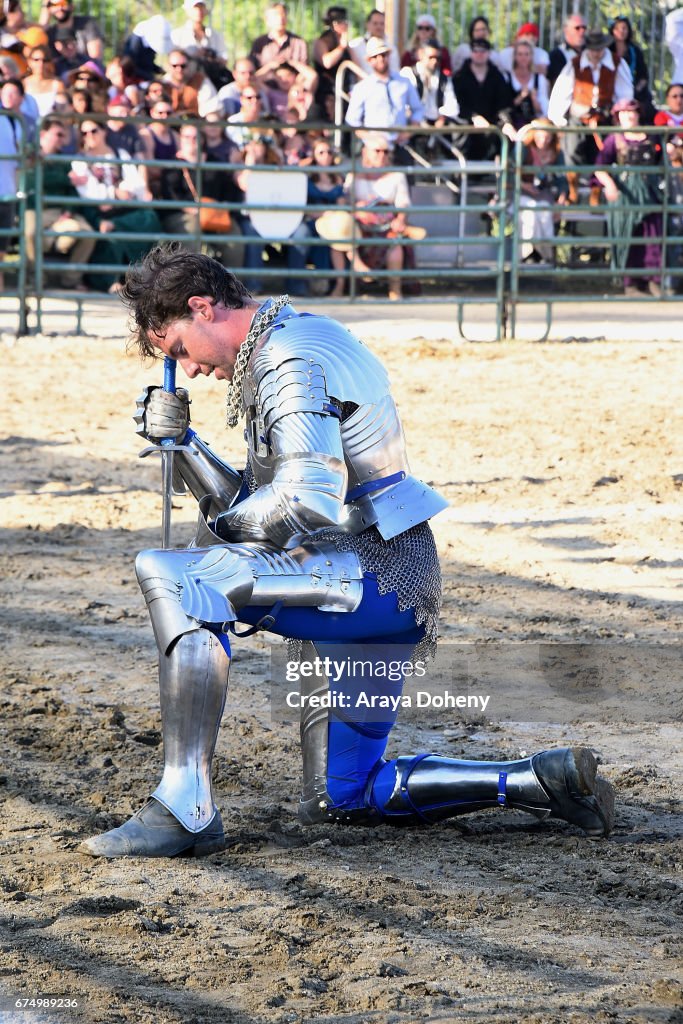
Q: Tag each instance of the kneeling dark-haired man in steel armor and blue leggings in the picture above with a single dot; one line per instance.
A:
(323, 539)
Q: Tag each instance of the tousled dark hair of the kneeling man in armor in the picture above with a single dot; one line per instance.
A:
(157, 290)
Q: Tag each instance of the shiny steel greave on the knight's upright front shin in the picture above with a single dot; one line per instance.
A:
(193, 685)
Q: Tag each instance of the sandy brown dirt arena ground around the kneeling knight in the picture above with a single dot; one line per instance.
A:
(564, 466)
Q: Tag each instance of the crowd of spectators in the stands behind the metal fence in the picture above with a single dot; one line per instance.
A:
(276, 106)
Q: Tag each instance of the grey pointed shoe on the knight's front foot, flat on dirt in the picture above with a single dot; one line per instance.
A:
(154, 832)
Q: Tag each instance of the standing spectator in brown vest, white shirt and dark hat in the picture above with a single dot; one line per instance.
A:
(585, 92)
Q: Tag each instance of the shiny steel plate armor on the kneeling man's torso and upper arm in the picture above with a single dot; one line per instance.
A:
(326, 445)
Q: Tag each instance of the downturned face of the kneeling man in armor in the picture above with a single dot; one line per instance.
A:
(202, 345)
